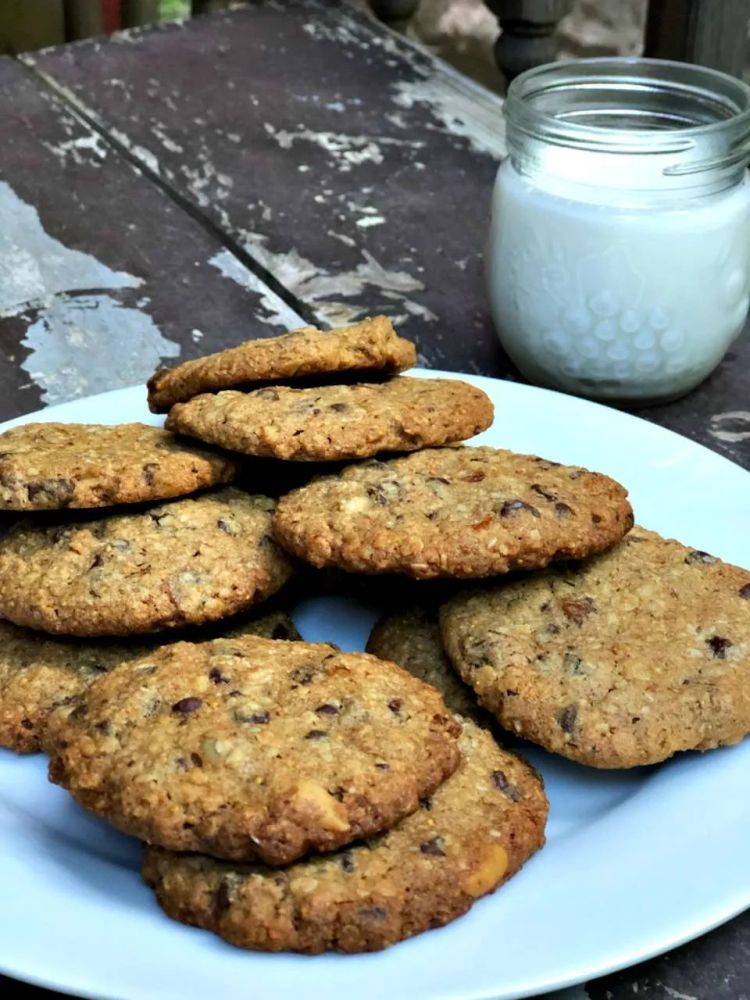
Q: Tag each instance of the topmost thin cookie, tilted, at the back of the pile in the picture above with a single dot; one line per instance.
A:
(369, 346)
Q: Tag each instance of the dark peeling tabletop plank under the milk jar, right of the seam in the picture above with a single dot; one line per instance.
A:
(351, 166)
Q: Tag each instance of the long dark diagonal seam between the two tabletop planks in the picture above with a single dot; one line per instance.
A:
(75, 107)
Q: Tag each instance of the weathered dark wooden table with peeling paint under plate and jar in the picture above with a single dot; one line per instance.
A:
(172, 191)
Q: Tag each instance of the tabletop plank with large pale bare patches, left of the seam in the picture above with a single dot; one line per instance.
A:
(101, 274)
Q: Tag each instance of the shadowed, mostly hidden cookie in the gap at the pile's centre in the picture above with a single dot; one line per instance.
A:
(412, 639)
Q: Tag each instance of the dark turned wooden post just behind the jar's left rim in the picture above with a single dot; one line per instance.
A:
(528, 32)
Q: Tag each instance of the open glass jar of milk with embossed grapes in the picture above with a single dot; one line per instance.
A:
(619, 251)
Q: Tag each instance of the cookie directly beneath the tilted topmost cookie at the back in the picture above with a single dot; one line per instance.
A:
(335, 422)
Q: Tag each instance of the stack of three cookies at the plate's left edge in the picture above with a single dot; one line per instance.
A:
(126, 530)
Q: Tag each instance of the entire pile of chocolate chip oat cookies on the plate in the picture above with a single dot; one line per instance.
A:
(292, 796)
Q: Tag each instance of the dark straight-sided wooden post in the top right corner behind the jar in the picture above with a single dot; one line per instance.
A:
(700, 31)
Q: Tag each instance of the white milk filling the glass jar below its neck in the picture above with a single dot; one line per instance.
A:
(596, 296)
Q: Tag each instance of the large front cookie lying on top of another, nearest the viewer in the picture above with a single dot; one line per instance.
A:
(254, 748)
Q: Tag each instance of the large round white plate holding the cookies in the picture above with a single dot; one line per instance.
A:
(636, 862)
